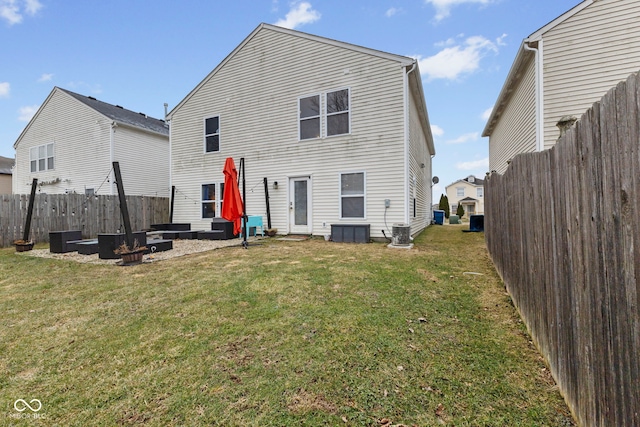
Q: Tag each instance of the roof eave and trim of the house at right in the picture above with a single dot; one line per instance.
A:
(522, 57)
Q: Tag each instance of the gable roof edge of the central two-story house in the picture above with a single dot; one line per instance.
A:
(415, 81)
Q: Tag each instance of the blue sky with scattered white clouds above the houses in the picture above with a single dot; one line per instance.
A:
(141, 54)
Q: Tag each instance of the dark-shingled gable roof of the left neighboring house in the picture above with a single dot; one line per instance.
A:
(113, 112)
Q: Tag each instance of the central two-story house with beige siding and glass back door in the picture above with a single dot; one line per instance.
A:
(340, 131)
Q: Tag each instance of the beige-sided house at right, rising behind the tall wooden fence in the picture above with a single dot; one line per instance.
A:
(559, 72)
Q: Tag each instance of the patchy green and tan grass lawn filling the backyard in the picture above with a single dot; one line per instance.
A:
(284, 333)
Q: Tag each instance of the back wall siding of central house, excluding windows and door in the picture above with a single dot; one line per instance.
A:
(255, 93)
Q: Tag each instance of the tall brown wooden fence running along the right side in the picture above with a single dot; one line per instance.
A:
(563, 229)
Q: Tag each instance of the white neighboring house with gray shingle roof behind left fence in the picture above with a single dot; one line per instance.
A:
(70, 143)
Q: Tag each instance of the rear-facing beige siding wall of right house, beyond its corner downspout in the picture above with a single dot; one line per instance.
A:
(585, 56)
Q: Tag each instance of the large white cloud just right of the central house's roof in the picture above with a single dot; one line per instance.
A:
(456, 60)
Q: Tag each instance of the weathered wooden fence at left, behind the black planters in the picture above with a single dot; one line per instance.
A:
(90, 214)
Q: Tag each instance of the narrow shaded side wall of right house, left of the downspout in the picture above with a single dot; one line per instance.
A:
(515, 131)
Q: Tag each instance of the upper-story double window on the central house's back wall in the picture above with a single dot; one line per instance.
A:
(336, 113)
